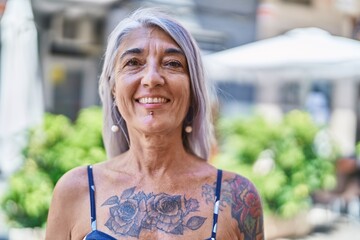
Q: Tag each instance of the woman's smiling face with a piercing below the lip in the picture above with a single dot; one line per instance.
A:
(152, 84)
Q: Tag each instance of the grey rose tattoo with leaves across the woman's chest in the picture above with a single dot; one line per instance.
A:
(133, 212)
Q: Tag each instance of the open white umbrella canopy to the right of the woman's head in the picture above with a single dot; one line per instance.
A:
(300, 54)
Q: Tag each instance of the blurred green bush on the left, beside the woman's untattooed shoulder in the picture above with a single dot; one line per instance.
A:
(53, 148)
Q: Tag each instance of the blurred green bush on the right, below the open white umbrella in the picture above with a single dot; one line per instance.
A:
(287, 161)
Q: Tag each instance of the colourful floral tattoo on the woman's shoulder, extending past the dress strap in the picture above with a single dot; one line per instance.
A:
(245, 204)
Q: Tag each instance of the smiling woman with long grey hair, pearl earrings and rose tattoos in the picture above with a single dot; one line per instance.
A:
(157, 133)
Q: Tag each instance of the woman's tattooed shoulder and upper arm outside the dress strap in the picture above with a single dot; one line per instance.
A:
(240, 197)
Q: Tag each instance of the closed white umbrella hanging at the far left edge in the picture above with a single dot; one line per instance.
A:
(21, 98)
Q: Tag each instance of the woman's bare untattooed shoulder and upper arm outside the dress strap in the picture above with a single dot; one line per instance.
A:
(68, 198)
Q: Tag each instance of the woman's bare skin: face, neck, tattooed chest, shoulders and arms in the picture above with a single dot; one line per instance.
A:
(157, 178)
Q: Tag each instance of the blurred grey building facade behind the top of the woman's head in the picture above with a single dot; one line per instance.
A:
(73, 37)
